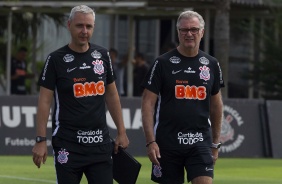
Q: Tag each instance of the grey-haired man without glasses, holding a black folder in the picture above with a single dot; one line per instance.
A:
(80, 77)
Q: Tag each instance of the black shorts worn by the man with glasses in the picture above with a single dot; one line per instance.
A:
(196, 160)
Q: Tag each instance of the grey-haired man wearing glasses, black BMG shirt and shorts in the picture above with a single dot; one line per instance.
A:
(180, 103)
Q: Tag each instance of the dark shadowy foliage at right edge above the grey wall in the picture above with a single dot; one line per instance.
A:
(268, 72)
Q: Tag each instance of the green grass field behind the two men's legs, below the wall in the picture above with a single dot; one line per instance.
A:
(20, 170)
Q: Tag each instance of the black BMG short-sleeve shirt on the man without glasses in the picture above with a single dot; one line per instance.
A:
(79, 82)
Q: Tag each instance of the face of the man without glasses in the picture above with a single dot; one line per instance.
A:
(81, 28)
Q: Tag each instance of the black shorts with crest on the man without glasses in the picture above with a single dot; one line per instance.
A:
(95, 162)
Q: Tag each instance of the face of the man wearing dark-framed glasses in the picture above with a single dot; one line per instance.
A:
(189, 33)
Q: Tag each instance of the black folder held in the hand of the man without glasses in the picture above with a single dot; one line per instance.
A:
(125, 167)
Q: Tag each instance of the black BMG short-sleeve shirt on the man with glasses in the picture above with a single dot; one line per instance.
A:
(184, 86)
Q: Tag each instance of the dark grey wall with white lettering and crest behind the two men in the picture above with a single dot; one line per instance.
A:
(250, 128)
